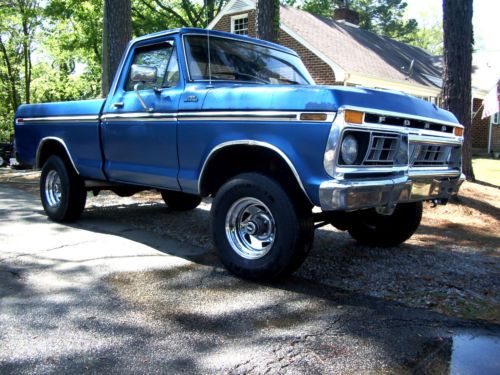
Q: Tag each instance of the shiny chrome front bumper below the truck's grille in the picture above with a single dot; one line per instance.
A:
(348, 195)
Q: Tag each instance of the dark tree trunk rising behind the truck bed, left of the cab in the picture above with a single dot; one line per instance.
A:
(117, 32)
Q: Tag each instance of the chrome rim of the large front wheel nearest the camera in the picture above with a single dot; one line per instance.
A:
(250, 228)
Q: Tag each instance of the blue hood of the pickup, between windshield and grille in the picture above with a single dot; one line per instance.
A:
(319, 98)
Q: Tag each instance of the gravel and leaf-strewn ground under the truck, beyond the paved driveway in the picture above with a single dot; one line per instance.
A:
(451, 265)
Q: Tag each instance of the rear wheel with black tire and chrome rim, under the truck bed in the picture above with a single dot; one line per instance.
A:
(62, 191)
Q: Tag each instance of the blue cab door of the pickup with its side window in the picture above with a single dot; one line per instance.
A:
(139, 139)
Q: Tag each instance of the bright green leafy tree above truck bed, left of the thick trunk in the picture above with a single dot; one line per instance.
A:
(72, 42)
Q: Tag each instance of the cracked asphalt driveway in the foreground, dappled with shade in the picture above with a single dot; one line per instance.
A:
(106, 296)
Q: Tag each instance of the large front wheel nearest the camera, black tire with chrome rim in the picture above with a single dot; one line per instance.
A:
(292, 226)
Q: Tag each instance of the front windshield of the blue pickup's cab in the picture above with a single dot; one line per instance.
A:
(235, 60)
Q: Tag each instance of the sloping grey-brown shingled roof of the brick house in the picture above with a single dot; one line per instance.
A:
(360, 51)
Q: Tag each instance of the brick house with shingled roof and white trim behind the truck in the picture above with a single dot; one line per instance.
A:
(337, 52)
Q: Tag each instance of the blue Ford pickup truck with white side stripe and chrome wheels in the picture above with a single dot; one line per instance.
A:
(195, 113)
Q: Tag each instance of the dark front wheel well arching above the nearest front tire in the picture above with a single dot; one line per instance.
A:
(233, 160)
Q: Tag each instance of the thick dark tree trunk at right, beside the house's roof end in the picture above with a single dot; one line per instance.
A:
(457, 29)
